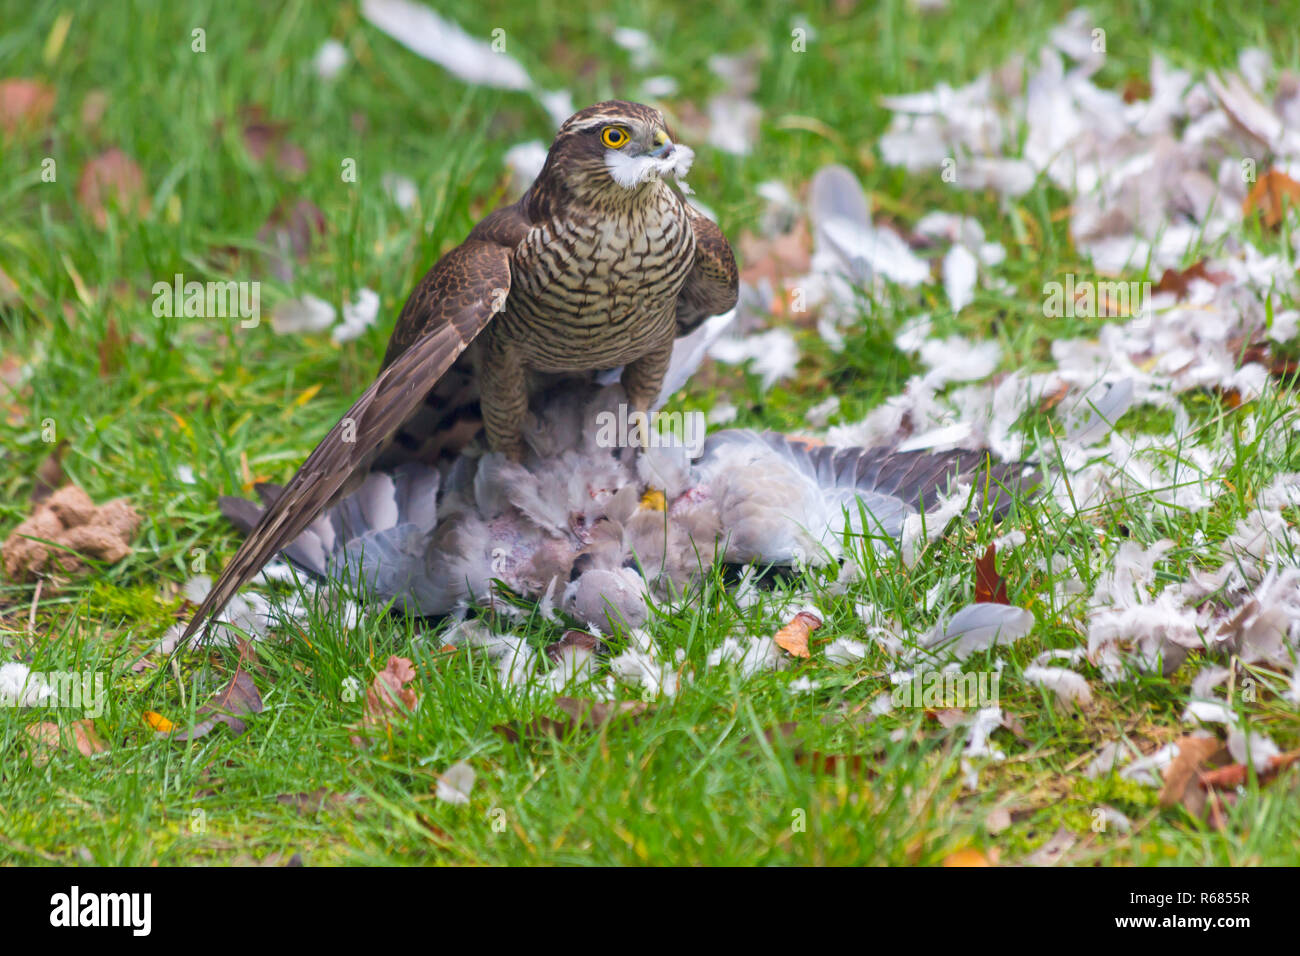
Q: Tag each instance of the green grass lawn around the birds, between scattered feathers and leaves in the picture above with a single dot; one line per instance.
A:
(704, 778)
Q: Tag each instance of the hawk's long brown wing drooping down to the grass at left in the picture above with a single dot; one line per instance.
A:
(450, 306)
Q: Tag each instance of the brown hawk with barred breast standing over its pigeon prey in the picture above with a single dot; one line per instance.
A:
(601, 265)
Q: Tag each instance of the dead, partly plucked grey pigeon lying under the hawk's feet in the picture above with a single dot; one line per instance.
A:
(599, 530)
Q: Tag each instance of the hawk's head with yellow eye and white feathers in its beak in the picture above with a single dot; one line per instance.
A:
(613, 149)
